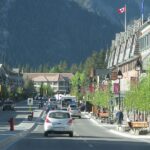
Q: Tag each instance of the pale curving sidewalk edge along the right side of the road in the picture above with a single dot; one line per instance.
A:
(113, 128)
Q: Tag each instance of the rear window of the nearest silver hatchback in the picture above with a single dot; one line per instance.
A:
(59, 115)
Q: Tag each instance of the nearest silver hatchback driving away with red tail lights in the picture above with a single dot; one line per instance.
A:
(58, 121)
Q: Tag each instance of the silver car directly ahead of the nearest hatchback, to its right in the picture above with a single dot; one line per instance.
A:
(74, 110)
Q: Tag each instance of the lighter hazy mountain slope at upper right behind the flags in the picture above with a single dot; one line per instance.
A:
(108, 8)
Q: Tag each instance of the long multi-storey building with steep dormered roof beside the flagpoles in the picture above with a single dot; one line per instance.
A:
(129, 50)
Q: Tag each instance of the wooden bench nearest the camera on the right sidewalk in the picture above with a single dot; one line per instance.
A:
(138, 126)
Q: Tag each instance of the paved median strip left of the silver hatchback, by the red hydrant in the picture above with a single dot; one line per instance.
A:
(21, 130)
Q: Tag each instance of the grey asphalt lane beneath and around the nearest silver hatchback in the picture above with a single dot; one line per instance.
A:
(87, 136)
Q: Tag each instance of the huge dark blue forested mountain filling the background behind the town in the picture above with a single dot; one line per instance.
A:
(38, 32)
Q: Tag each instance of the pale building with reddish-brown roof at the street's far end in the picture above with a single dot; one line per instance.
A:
(59, 82)
